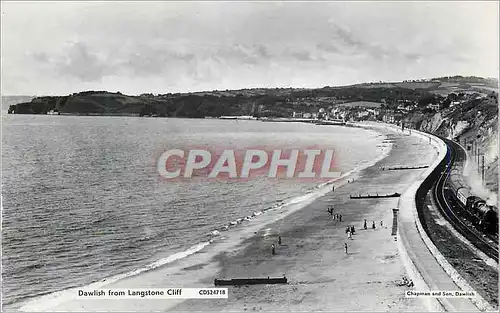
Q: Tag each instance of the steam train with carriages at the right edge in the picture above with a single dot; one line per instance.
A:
(483, 215)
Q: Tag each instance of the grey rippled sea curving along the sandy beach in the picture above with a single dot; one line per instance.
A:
(82, 200)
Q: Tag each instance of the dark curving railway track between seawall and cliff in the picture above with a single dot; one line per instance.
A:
(453, 211)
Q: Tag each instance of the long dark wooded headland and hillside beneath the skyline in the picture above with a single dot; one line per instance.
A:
(272, 102)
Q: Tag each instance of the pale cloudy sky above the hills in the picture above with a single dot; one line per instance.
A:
(58, 48)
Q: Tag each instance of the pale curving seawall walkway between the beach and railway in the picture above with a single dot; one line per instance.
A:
(428, 268)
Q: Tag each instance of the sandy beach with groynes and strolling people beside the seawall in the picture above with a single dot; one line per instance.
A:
(321, 276)
